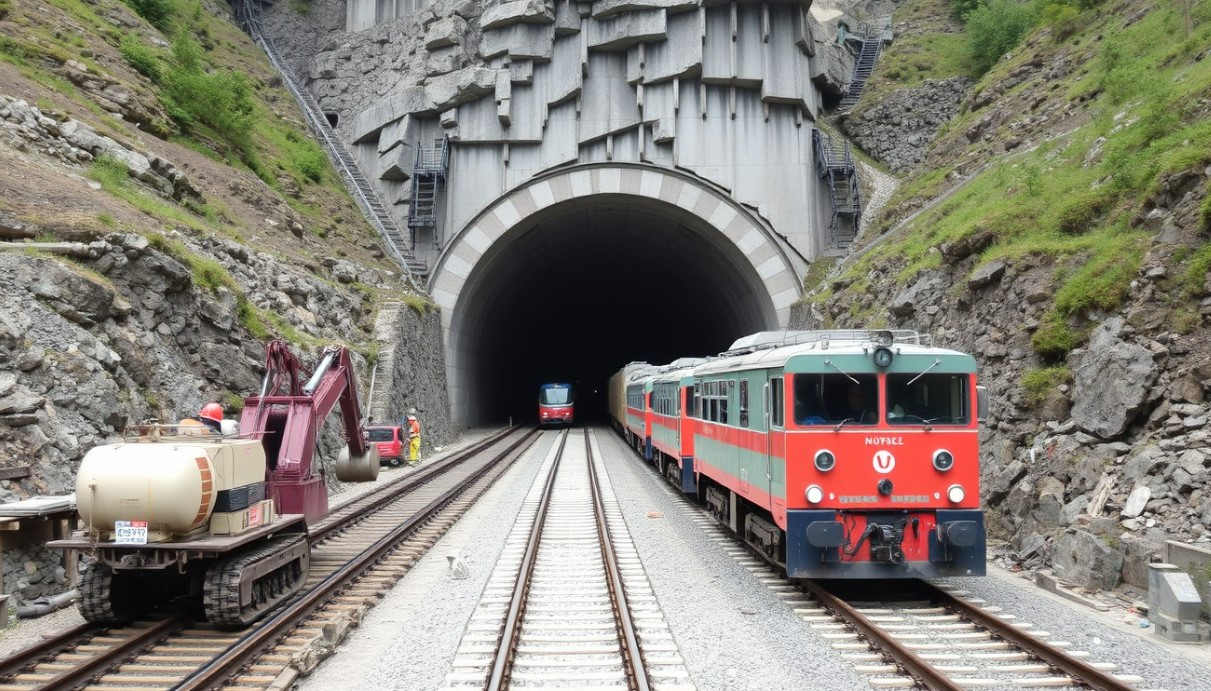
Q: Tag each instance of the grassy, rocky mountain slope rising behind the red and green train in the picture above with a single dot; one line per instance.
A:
(1058, 228)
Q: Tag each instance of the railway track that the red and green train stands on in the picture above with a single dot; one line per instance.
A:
(927, 638)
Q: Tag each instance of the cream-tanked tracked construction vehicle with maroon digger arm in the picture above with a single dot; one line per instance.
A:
(175, 511)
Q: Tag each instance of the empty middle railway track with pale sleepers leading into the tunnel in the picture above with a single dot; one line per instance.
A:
(569, 604)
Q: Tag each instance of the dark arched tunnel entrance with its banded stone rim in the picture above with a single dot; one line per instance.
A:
(573, 291)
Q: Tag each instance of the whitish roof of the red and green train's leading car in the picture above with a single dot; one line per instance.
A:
(776, 349)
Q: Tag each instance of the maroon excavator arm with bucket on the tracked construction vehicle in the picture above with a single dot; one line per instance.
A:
(288, 417)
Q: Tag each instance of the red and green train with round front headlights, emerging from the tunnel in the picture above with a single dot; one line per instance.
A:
(836, 454)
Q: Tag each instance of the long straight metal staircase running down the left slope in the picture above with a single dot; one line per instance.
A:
(361, 189)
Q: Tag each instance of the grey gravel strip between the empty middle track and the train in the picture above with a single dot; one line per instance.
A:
(734, 632)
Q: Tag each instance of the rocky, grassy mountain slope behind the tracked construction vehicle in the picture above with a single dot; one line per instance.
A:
(164, 214)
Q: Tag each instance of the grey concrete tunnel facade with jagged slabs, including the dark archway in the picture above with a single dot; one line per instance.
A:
(640, 177)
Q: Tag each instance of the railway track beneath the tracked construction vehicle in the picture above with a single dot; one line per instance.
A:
(359, 552)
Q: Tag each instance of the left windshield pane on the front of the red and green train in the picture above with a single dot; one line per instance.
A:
(835, 399)
